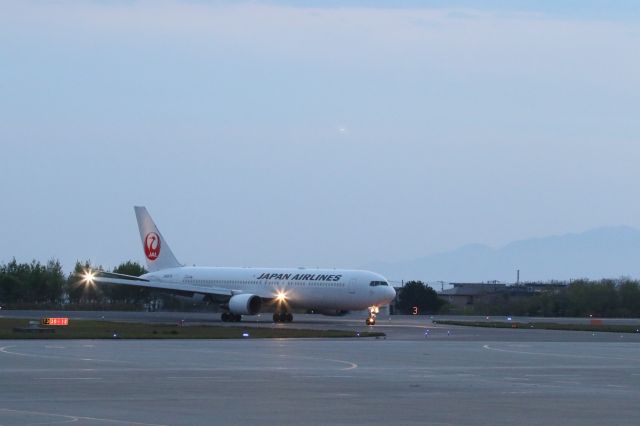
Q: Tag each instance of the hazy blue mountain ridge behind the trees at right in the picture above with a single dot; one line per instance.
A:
(604, 252)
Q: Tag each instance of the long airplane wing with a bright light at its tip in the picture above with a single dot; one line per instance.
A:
(102, 277)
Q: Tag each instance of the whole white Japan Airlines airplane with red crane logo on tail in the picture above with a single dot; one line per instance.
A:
(247, 291)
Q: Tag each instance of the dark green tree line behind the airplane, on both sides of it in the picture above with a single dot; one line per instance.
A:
(24, 285)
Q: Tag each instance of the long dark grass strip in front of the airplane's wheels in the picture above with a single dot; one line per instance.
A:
(89, 329)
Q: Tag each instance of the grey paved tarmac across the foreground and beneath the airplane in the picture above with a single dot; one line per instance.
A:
(421, 373)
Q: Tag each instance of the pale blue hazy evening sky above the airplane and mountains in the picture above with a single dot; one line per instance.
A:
(313, 133)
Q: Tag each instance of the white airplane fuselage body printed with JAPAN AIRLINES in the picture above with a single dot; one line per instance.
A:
(303, 288)
